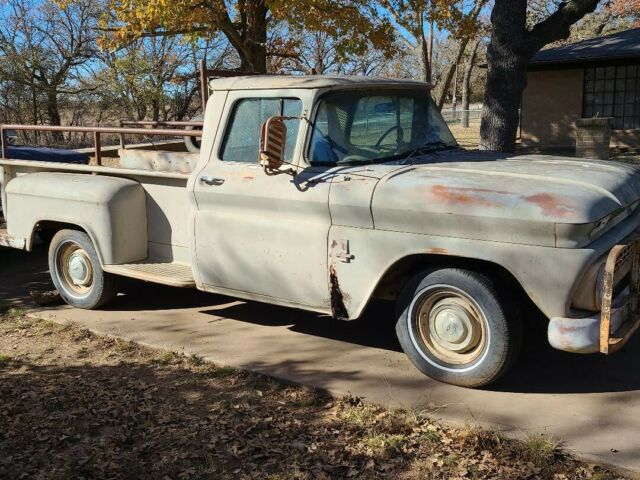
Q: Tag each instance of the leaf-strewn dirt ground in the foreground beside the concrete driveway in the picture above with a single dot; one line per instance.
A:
(76, 405)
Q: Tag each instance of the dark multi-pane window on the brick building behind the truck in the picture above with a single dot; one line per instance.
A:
(613, 91)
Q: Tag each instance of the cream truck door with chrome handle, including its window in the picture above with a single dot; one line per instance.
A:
(258, 234)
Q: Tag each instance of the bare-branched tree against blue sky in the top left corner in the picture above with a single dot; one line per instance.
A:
(43, 48)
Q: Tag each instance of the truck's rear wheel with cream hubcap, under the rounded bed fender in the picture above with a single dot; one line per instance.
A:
(77, 273)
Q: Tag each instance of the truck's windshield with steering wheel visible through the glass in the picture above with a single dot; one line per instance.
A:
(355, 127)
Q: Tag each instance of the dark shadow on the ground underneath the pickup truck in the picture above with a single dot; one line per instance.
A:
(540, 369)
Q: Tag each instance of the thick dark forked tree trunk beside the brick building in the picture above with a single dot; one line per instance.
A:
(511, 48)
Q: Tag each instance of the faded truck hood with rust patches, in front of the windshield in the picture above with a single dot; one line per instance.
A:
(474, 194)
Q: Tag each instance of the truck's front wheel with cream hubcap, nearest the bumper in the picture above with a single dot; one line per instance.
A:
(453, 327)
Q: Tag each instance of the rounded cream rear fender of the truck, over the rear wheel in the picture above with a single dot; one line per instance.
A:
(111, 210)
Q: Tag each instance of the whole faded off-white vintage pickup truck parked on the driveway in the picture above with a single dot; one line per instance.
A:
(323, 193)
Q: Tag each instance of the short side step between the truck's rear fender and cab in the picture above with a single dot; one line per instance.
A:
(171, 274)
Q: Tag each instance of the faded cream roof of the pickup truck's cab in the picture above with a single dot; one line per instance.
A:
(266, 82)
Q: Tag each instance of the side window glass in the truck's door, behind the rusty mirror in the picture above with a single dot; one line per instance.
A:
(242, 138)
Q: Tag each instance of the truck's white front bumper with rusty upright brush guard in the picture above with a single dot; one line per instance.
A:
(610, 329)
